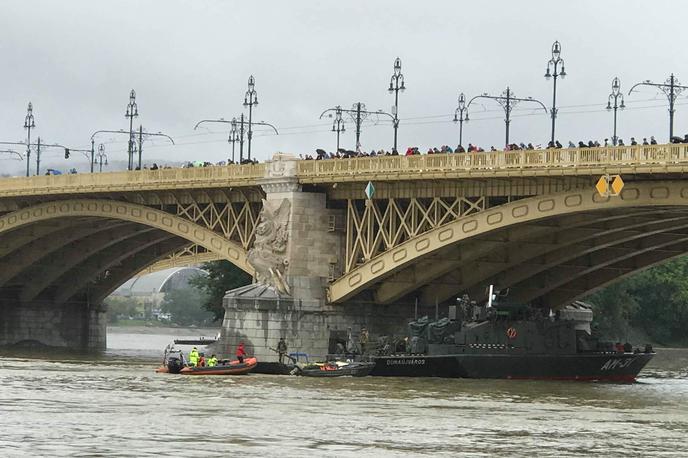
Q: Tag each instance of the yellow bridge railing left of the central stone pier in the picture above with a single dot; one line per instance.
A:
(128, 180)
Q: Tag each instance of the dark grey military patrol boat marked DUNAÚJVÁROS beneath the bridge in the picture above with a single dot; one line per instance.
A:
(512, 341)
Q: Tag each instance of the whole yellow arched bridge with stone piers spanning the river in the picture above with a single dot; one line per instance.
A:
(435, 227)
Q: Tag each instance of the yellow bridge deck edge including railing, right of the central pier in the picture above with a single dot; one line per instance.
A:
(671, 158)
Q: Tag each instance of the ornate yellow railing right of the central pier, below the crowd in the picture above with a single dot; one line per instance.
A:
(521, 159)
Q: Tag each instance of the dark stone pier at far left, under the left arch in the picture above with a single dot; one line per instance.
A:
(70, 325)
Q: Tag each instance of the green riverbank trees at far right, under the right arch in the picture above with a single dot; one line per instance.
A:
(654, 301)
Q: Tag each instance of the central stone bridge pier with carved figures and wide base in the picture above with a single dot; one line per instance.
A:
(299, 248)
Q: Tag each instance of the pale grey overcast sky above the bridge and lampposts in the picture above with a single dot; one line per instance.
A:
(76, 61)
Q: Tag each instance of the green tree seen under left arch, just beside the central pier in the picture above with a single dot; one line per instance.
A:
(222, 276)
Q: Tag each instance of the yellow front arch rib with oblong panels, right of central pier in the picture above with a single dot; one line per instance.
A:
(644, 196)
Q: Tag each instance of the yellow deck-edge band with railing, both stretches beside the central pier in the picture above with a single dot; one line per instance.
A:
(640, 159)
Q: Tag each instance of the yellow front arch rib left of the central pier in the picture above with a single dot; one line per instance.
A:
(134, 213)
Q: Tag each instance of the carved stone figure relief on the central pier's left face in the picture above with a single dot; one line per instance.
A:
(268, 255)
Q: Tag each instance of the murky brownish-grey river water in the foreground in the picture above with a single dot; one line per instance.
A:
(114, 405)
